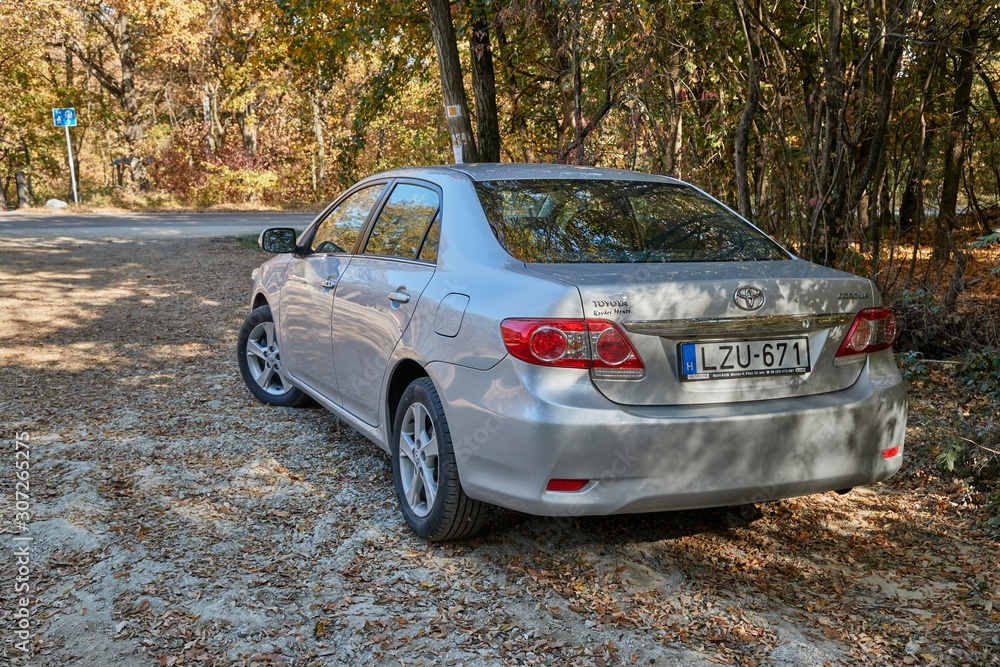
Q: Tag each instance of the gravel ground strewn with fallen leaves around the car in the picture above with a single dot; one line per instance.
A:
(176, 521)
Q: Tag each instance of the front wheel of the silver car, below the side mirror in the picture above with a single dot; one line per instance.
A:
(260, 362)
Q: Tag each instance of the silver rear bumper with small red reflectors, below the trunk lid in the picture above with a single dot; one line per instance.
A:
(515, 427)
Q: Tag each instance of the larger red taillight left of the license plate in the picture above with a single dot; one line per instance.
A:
(597, 345)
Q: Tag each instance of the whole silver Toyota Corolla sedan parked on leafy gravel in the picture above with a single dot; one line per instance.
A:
(573, 341)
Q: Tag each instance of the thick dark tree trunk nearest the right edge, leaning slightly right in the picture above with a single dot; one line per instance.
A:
(954, 153)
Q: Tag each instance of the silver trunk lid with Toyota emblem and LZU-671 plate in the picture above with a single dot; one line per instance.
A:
(676, 313)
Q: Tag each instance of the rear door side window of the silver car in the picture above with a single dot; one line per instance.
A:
(402, 225)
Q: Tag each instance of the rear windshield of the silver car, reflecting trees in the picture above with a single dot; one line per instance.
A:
(575, 221)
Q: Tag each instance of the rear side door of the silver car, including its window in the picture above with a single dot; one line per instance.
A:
(378, 292)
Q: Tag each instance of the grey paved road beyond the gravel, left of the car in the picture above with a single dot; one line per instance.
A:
(45, 224)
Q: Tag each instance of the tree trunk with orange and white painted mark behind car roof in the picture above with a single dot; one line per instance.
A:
(453, 91)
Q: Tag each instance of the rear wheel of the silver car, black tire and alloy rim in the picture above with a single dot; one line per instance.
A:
(422, 458)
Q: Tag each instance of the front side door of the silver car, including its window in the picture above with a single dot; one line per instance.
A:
(306, 305)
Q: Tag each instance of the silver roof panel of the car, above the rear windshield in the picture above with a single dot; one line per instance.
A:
(502, 171)
